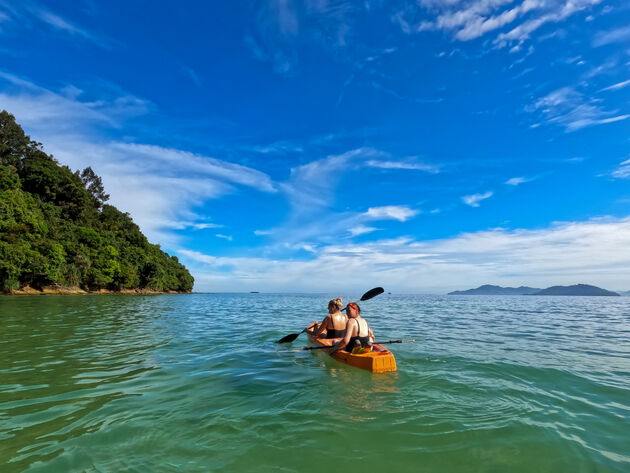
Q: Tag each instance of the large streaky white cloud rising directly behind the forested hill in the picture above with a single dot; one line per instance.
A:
(159, 187)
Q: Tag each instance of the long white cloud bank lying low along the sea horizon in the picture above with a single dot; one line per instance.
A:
(507, 257)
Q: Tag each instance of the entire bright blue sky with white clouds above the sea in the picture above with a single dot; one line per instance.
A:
(322, 145)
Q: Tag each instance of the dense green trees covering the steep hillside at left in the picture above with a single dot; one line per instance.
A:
(56, 229)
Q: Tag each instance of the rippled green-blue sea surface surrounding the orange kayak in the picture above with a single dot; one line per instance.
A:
(195, 383)
